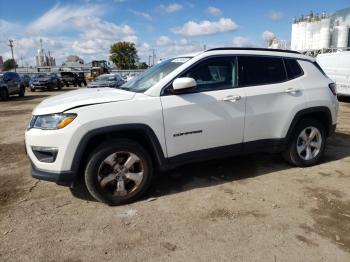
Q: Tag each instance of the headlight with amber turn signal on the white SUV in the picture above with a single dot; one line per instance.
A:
(51, 122)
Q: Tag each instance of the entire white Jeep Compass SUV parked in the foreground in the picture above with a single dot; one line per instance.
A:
(215, 104)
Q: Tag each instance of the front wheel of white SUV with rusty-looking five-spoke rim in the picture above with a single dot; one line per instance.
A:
(98, 171)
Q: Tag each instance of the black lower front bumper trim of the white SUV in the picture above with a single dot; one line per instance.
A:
(65, 178)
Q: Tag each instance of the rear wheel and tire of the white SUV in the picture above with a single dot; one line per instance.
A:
(297, 143)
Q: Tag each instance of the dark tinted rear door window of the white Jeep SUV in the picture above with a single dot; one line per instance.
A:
(255, 70)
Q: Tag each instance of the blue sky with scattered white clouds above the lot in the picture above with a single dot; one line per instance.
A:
(87, 28)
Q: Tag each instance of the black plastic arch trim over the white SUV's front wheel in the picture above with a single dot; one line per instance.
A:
(141, 133)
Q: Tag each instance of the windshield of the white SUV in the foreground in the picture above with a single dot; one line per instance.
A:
(150, 77)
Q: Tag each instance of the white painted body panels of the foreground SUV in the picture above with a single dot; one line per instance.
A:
(250, 114)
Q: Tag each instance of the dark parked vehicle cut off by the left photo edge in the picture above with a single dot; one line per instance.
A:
(11, 84)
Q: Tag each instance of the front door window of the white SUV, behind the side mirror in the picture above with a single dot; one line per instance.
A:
(214, 74)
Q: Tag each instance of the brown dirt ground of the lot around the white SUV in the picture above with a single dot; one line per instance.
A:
(251, 208)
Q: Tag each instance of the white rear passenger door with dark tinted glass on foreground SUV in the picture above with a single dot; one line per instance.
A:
(273, 96)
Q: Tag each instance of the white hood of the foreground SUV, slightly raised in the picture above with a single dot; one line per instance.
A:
(81, 97)
